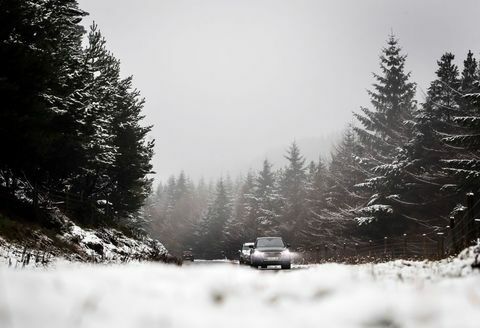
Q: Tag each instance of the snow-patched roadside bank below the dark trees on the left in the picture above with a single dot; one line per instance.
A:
(103, 245)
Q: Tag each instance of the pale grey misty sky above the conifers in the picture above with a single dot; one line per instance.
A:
(228, 82)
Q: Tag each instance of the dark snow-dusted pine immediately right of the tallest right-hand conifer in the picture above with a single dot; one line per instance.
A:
(433, 191)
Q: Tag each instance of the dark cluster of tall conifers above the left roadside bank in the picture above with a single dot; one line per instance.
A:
(69, 122)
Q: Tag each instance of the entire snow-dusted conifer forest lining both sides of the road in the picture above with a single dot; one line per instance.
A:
(72, 133)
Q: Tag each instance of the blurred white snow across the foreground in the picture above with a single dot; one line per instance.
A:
(394, 294)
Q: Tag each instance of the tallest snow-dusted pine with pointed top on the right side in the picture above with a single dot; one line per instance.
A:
(383, 133)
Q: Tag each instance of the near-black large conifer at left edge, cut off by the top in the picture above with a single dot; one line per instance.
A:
(40, 56)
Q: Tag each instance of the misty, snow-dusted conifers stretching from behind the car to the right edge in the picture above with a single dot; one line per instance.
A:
(402, 167)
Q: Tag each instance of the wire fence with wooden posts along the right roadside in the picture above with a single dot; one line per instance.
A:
(462, 231)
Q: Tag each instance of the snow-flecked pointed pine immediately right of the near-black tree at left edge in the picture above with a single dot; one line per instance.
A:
(101, 75)
